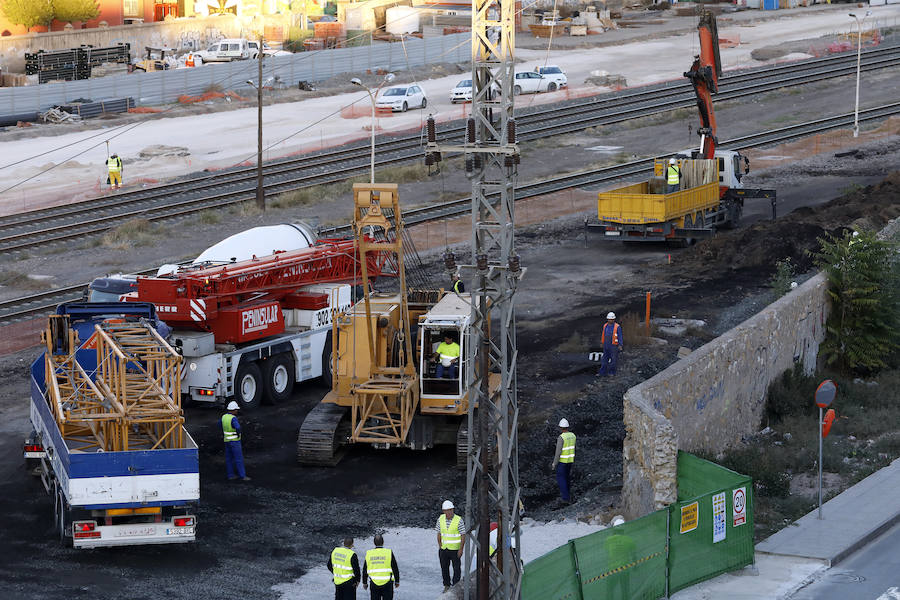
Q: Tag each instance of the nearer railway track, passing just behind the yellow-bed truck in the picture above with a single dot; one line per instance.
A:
(38, 304)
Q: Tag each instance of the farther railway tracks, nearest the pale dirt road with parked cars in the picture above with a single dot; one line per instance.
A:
(186, 197)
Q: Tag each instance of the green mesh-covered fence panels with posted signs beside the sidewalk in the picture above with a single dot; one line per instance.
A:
(707, 532)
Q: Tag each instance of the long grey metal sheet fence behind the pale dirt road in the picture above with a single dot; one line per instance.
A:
(164, 87)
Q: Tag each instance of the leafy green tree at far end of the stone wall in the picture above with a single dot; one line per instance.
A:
(863, 329)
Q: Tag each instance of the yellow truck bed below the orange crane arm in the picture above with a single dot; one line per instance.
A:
(635, 204)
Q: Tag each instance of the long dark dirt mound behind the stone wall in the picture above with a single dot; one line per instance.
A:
(761, 245)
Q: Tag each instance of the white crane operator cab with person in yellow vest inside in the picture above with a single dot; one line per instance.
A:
(443, 354)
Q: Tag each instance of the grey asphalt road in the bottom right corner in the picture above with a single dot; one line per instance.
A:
(868, 574)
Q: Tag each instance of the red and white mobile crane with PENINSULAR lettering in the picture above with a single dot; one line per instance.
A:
(250, 329)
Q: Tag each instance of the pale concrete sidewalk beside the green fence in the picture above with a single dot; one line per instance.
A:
(789, 558)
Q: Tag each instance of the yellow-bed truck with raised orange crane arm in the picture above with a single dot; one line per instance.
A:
(710, 194)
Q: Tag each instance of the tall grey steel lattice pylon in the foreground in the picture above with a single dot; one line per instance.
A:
(491, 159)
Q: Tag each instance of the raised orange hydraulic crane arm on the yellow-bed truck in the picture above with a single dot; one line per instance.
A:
(704, 76)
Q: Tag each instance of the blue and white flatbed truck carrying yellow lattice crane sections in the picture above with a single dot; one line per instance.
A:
(108, 498)
